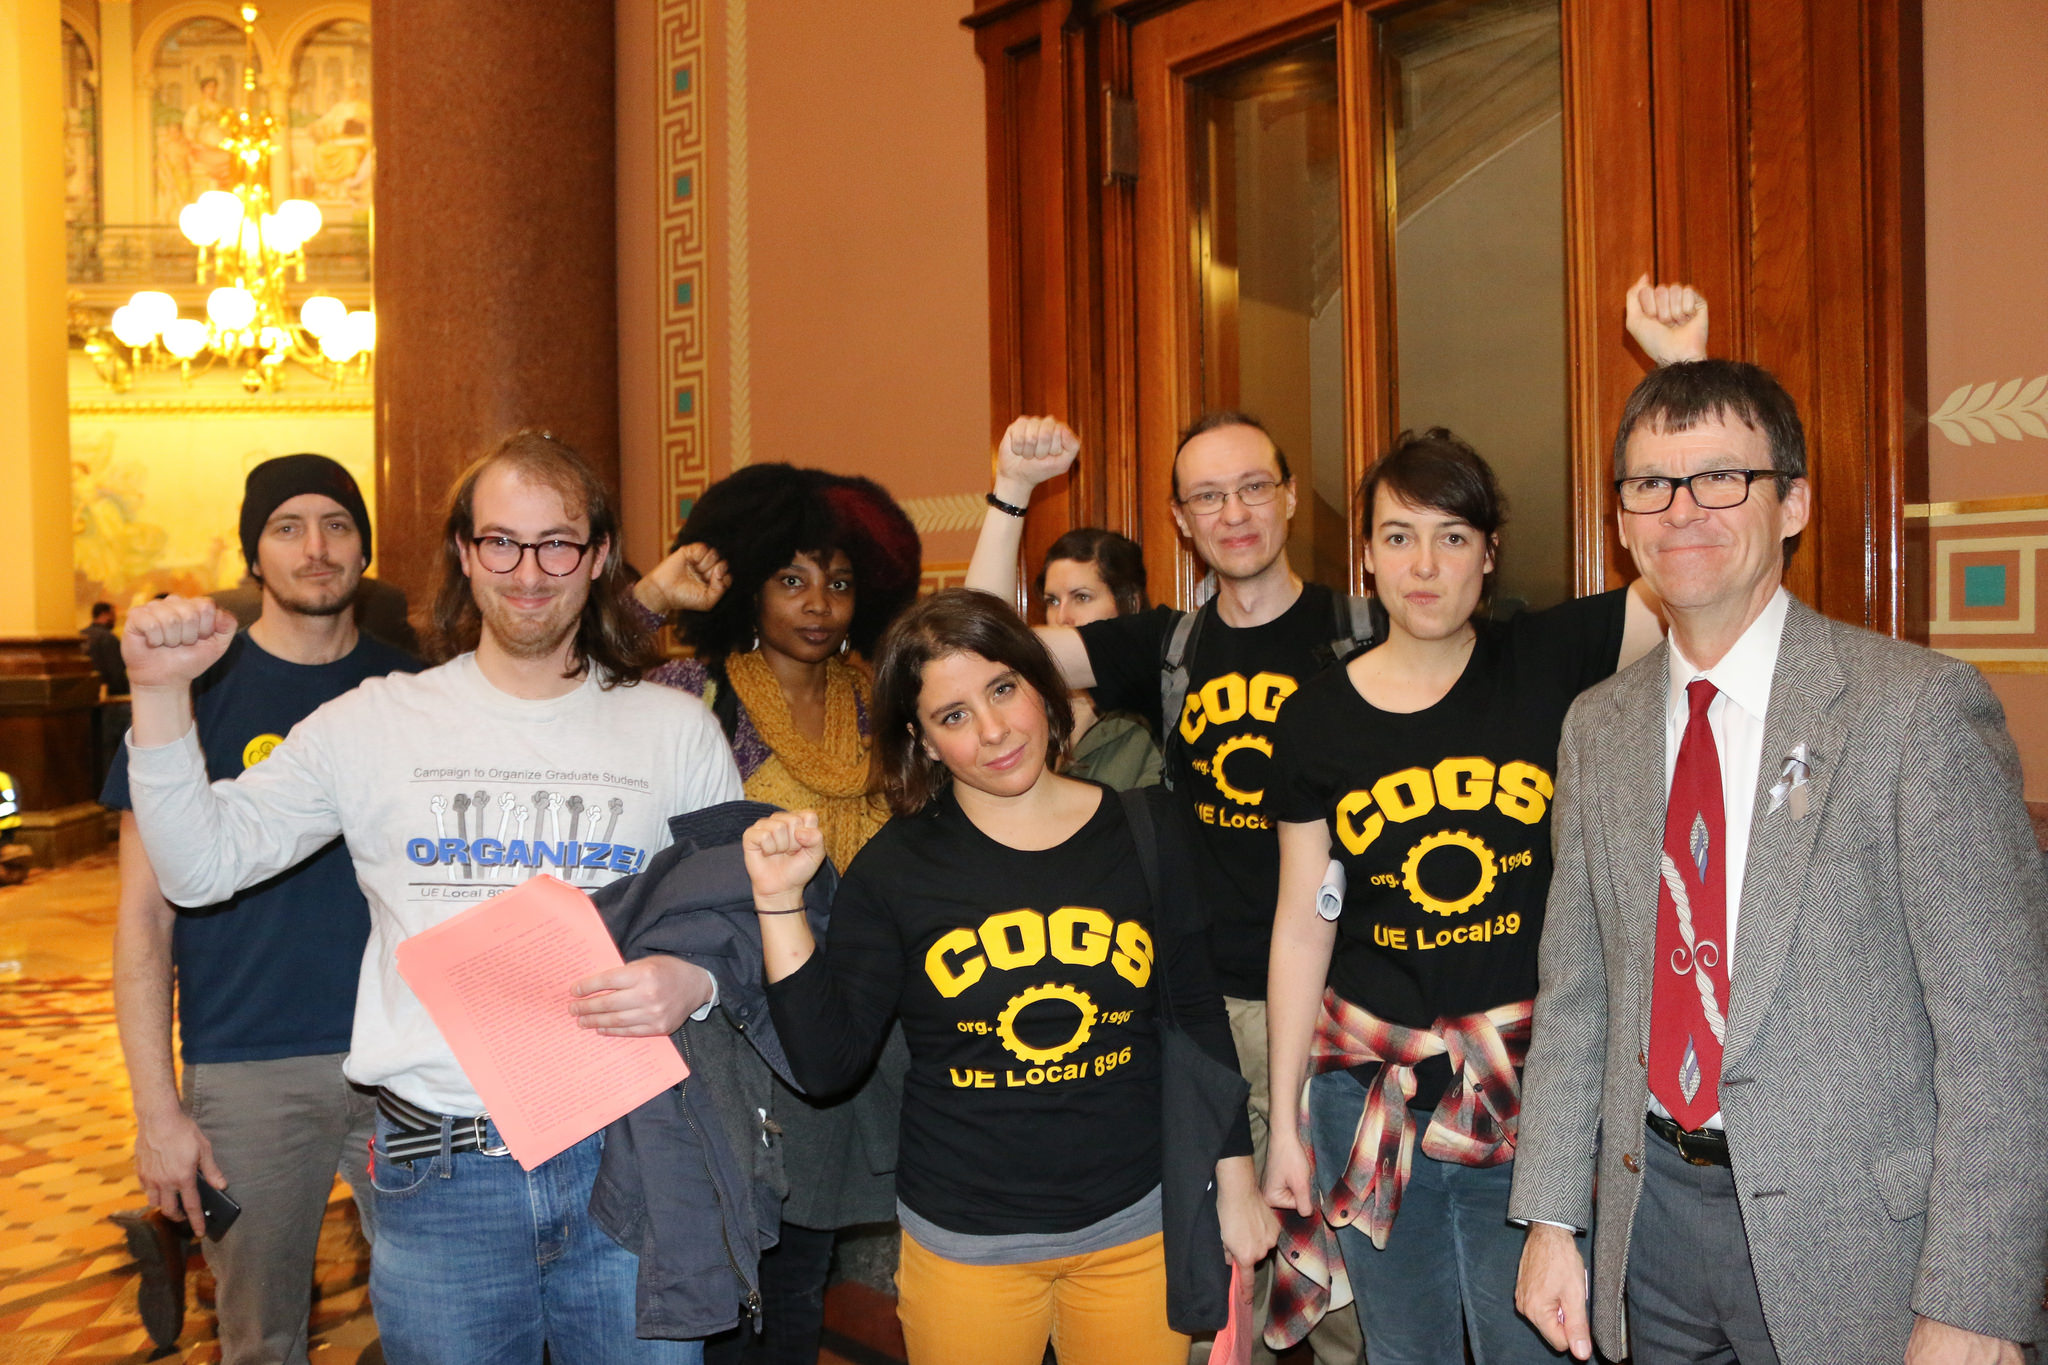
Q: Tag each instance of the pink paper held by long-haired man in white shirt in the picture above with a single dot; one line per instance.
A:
(499, 983)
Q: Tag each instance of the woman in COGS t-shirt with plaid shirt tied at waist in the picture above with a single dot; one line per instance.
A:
(1402, 973)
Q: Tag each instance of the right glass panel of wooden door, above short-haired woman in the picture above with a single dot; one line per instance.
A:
(1476, 165)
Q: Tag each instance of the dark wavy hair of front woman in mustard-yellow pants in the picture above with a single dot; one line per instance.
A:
(955, 621)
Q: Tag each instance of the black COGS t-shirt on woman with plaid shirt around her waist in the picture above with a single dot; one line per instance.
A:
(1443, 818)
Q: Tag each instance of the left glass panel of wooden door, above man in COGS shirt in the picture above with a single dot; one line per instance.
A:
(1269, 236)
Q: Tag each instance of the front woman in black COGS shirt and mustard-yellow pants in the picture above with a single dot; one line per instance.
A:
(1005, 918)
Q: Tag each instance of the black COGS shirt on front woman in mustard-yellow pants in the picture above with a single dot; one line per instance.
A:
(1025, 983)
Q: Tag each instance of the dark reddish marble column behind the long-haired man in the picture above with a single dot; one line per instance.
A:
(497, 253)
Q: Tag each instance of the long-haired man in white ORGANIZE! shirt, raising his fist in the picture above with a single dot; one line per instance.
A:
(531, 750)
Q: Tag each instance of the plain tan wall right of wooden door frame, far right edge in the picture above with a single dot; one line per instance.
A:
(1988, 292)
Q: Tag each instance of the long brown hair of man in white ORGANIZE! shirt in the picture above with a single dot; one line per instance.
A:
(609, 635)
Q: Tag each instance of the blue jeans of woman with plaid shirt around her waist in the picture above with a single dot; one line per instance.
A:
(1451, 1260)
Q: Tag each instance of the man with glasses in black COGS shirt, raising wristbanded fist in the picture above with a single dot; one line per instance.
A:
(1234, 664)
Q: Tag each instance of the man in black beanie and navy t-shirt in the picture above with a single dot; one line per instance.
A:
(267, 981)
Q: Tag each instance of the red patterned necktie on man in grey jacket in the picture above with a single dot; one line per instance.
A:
(1691, 987)
